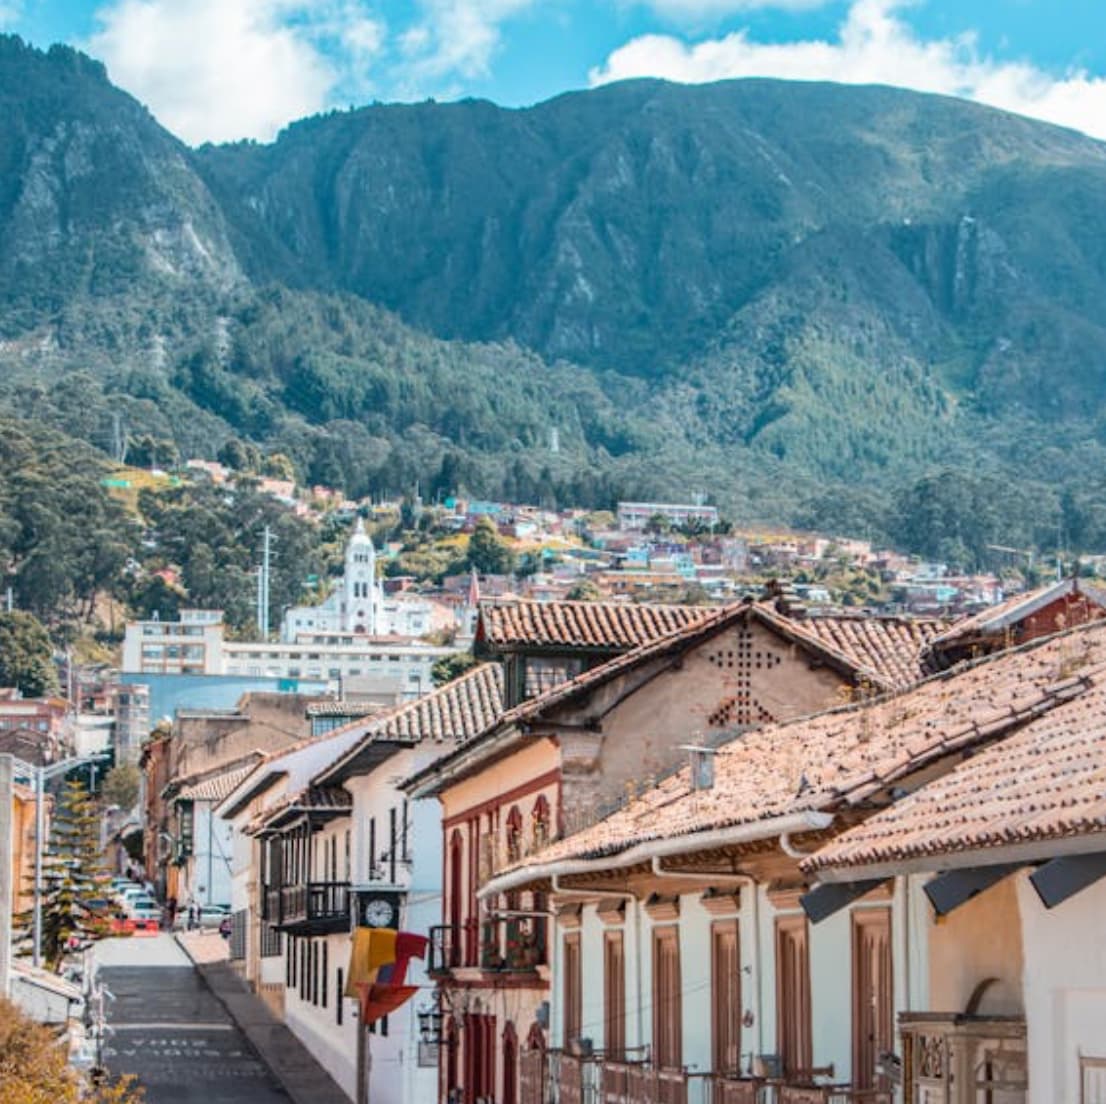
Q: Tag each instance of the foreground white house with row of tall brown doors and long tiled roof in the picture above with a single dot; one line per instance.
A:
(695, 961)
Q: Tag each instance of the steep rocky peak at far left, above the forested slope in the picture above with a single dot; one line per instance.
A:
(97, 197)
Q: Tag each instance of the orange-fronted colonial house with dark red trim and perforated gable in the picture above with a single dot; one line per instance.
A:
(591, 723)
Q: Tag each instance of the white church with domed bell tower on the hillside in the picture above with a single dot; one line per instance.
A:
(358, 606)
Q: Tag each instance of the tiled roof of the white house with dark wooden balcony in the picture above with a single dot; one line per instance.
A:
(458, 712)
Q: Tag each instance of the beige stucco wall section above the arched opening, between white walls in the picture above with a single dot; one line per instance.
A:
(980, 940)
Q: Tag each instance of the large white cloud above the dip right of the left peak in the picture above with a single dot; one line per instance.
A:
(221, 70)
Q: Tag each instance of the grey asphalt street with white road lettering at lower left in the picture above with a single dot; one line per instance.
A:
(171, 1032)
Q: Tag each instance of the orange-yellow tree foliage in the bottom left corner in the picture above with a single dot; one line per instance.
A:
(34, 1069)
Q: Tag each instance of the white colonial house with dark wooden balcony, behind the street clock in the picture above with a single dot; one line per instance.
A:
(335, 850)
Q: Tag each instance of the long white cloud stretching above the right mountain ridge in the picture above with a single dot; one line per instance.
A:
(873, 47)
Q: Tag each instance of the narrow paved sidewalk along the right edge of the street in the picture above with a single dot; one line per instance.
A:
(304, 1079)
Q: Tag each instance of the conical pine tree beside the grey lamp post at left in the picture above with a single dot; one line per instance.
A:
(76, 907)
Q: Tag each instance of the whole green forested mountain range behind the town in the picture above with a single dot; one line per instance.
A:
(802, 298)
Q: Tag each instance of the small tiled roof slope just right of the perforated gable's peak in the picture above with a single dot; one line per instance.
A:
(892, 647)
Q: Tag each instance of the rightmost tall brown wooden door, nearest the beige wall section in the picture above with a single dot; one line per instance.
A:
(873, 994)
